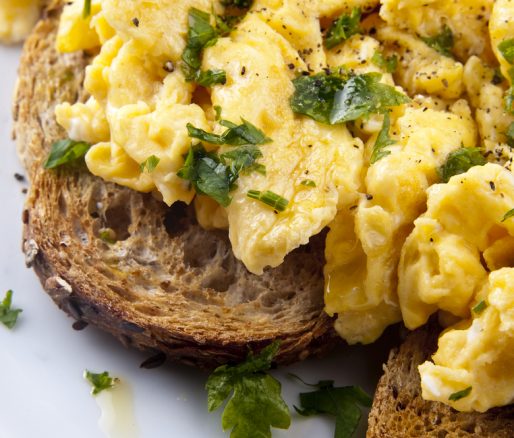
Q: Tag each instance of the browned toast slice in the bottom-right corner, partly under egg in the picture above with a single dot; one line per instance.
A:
(399, 411)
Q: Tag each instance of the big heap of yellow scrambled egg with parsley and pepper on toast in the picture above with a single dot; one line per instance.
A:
(418, 223)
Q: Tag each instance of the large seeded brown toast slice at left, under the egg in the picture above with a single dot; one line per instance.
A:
(166, 284)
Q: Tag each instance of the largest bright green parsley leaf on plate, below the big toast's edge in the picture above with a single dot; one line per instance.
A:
(256, 404)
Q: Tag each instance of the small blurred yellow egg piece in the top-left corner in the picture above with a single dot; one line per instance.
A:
(17, 18)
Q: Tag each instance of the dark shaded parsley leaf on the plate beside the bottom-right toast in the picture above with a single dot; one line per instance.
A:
(343, 403)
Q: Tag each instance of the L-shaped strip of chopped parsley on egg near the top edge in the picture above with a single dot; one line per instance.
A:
(200, 35)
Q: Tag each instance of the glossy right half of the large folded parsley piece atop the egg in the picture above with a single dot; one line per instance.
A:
(363, 95)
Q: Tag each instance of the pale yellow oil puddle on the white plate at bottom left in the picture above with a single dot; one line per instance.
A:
(117, 419)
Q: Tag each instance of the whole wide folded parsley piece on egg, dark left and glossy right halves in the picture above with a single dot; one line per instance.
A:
(336, 99)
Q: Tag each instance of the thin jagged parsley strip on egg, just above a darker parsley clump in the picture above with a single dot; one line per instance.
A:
(235, 135)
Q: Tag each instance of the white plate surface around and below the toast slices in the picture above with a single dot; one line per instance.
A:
(42, 393)
